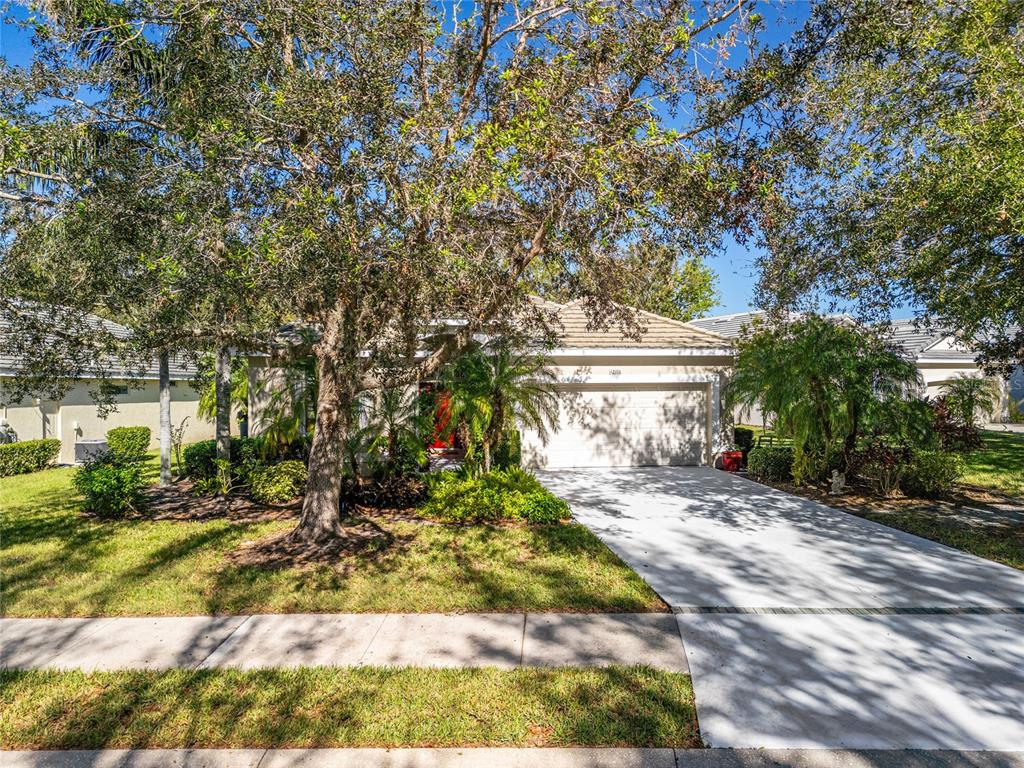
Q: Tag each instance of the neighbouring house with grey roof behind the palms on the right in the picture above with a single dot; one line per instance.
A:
(938, 358)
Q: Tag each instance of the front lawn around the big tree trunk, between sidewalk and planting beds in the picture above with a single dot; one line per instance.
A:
(59, 564)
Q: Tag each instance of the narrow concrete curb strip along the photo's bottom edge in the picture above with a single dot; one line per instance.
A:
(509, 758)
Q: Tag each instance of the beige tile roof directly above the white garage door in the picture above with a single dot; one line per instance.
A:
(660, 333)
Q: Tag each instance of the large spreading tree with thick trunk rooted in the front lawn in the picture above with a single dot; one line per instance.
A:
(411, 163)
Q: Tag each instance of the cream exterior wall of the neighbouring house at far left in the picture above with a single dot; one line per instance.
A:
(76, 417)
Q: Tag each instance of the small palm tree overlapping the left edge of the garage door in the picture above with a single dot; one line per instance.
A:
(495, 390)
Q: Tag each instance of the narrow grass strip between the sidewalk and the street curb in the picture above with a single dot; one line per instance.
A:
(362, 707)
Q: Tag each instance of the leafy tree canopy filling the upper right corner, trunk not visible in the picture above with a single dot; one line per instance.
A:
(914, 190)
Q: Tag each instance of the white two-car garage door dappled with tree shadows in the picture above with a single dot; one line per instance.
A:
(624, 426)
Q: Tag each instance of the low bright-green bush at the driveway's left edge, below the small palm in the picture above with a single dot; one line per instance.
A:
(500, 495)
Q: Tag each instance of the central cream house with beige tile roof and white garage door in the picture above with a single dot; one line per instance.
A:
(623, 402)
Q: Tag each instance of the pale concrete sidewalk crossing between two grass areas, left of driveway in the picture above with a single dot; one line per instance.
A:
(504, 641)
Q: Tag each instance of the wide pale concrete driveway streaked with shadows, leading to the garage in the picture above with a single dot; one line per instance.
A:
(808, 627)
